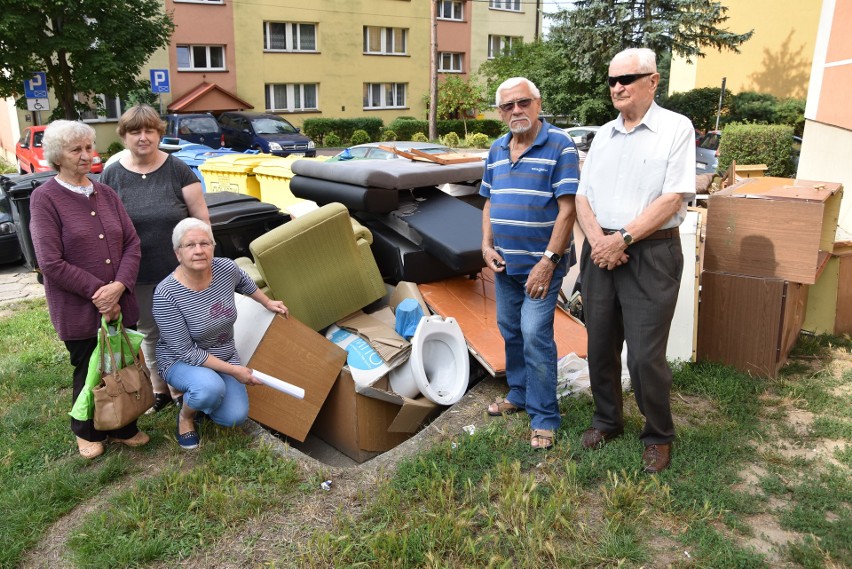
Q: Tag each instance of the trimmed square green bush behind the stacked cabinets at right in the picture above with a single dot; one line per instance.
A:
(769, 144)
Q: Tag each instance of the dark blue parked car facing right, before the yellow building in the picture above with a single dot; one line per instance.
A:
(266, 132)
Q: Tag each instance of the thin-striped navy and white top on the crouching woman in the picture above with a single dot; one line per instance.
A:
(195, 324)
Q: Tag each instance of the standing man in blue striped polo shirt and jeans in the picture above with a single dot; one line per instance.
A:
(530, 179)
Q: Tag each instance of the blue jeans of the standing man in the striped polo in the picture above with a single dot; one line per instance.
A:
(526, 325)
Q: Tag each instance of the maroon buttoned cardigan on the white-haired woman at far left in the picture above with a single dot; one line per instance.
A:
(82, 244)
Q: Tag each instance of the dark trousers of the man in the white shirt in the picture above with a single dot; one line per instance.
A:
(634, 302)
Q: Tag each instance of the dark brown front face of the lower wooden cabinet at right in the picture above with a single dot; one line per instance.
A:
(739, 322)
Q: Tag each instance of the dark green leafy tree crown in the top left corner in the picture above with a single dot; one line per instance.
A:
(84, 46)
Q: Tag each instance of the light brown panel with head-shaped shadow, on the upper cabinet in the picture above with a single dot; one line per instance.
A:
(764, 238)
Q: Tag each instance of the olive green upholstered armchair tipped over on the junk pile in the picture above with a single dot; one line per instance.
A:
(320, 265)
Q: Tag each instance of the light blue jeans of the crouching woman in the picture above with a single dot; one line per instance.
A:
(219, 395)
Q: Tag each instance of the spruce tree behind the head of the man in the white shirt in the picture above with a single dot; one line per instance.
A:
(595, 30)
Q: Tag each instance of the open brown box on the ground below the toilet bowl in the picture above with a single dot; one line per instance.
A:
(360, 426)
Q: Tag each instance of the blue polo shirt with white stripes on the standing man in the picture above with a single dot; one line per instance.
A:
(523, 196)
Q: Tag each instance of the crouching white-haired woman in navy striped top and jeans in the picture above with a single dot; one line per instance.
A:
(195, 311)
